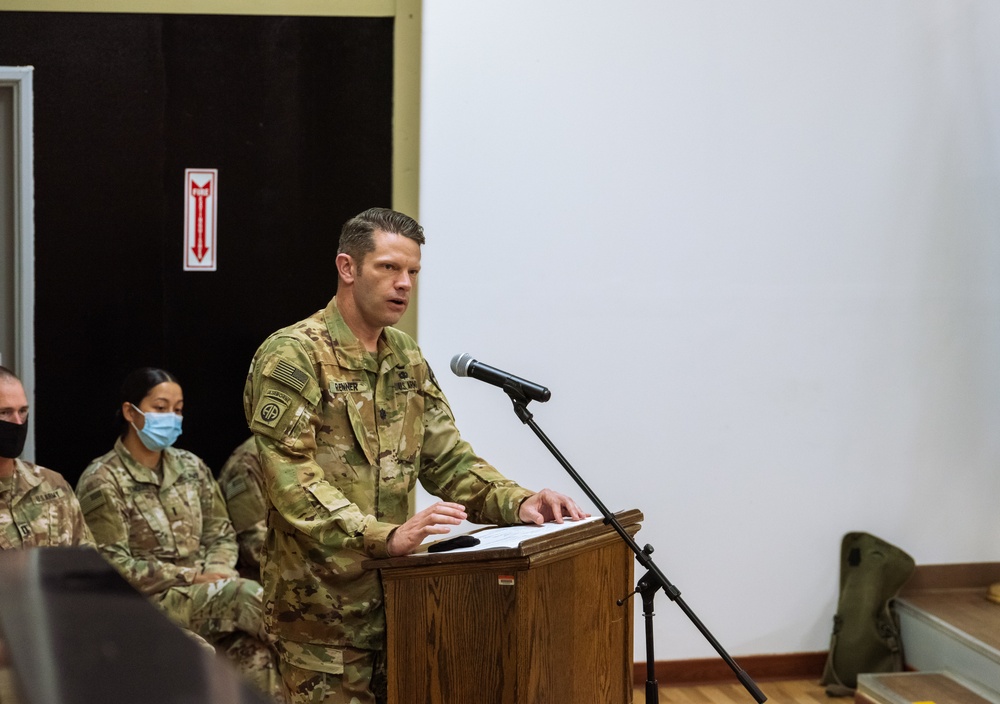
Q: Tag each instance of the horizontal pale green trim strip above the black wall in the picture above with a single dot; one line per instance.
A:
(299, 8)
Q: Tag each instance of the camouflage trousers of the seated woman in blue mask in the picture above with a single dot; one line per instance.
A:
(227, 613)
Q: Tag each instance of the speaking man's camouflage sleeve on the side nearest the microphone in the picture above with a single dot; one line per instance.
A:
(450, 468)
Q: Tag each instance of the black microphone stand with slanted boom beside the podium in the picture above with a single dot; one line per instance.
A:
(650, 582)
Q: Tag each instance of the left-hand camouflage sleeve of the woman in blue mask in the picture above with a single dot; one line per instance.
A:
(106, 512)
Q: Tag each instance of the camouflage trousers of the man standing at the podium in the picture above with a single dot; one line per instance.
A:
(363, 681)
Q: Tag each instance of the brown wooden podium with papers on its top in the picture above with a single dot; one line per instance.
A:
(534, 623)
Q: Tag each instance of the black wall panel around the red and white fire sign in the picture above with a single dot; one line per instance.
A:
(295, 113)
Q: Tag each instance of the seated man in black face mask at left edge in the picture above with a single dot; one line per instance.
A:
(37, 506)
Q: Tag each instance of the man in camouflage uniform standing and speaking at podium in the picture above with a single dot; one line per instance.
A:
(347, 416)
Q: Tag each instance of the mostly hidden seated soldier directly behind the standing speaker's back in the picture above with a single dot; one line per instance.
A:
(243, 486)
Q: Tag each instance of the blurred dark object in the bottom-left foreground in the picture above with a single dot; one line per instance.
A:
(73, 631)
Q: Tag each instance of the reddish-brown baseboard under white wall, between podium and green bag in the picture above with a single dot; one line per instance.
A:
(788, 666)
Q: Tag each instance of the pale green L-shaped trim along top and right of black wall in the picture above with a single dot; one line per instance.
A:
(406, 69)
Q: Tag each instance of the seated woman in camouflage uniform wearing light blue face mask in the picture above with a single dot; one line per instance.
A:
(158, 516)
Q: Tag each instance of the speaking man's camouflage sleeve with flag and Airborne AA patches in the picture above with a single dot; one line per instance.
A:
(281, 401)
